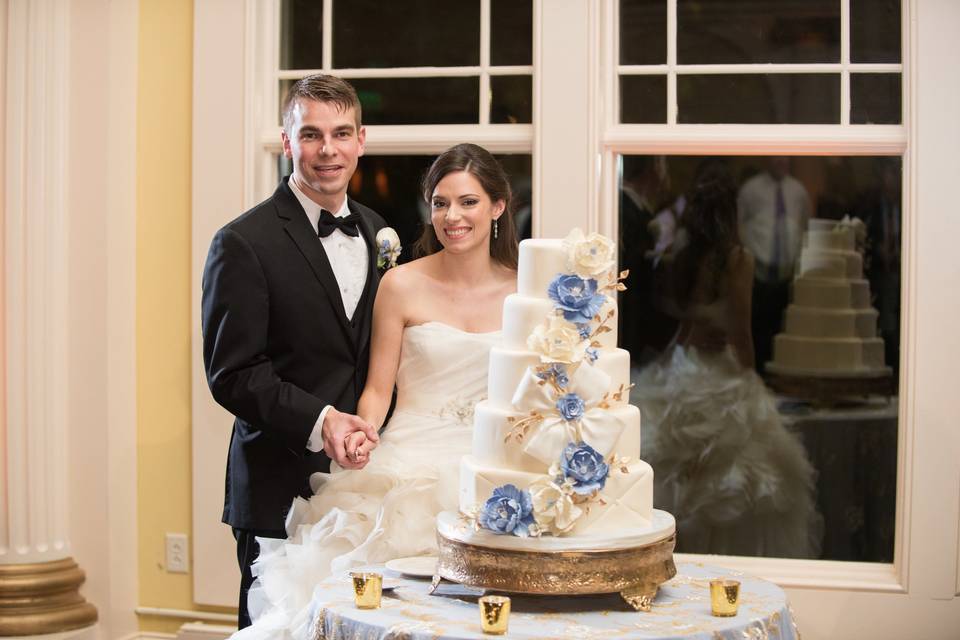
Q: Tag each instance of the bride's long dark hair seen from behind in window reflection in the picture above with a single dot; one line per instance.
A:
(709, 224)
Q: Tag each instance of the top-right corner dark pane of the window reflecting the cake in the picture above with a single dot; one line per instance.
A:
(875, 30)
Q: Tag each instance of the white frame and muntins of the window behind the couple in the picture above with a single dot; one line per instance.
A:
(263, 67)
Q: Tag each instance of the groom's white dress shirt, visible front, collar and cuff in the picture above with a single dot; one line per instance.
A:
(348, 259)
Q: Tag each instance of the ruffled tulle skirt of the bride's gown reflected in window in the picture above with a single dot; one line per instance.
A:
(737, 481)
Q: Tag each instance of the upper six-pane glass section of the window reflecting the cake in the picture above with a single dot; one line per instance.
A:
(740, 61)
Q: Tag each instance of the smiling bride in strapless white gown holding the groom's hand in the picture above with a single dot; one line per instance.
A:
(434, 322)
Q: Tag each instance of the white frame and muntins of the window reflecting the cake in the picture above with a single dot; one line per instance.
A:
(844, 139)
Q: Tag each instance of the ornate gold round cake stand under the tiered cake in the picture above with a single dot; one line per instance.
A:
(635, 572)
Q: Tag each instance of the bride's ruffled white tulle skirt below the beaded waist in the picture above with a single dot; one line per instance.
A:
(386, 510)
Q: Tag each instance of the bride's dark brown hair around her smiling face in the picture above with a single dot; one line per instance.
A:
(481, 164)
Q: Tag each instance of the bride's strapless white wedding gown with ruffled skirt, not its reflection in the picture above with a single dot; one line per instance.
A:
(388, 509)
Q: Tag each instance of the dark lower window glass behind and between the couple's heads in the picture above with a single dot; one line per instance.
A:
(390, 185)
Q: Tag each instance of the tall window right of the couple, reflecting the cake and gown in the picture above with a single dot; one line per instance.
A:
(790, 113)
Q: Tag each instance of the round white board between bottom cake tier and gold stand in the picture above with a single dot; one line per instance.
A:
(455, 526)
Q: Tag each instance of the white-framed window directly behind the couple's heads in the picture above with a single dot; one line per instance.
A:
(467, 77)
